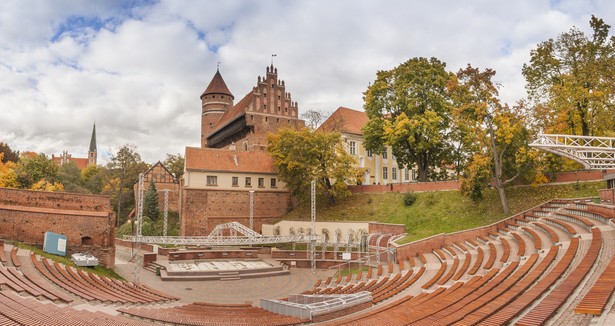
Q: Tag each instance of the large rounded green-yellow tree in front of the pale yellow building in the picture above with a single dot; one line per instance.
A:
(409, 108)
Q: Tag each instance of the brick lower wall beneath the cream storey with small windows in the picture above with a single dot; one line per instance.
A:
(203, 209)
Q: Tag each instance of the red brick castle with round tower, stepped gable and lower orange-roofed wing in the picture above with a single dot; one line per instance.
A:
(231, 175)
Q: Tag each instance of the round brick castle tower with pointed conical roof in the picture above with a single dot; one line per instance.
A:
(215, 101)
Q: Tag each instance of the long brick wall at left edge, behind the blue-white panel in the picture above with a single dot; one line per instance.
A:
(26, 215)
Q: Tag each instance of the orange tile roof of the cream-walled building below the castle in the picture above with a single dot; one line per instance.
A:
(209, 159)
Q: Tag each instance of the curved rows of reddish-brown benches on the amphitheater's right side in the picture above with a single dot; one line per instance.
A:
(527, 274)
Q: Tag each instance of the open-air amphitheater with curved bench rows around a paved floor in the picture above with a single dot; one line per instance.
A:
(552, 264)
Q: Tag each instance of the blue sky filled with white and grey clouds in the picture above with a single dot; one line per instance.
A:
(137, 68)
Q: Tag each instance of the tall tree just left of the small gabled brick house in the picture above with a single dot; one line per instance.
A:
(122, 173)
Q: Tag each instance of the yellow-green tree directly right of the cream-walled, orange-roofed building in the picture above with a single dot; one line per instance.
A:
(301, 156)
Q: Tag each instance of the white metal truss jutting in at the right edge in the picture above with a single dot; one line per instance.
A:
(596, 153)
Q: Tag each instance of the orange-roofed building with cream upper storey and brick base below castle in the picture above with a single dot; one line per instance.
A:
(217, 185)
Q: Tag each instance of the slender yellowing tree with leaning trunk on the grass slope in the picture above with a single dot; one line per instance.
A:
(499, 131)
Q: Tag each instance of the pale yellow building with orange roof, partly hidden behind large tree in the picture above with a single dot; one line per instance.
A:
(380, 168)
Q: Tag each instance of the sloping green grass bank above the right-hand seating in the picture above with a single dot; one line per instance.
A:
(440, 212)
